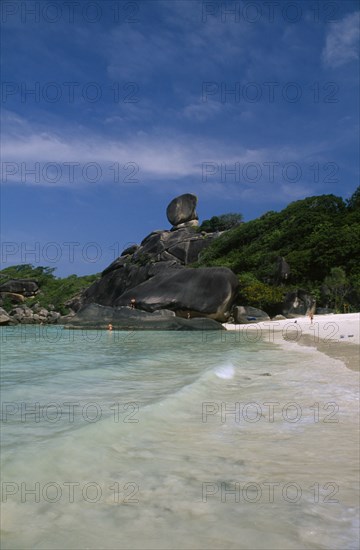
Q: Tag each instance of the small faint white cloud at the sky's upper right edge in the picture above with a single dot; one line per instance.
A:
(342, 41)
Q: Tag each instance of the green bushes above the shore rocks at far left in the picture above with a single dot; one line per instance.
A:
(53, 290)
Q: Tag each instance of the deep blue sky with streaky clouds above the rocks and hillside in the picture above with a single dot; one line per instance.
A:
(111, 109)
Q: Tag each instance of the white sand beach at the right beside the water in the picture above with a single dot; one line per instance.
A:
(335, 335)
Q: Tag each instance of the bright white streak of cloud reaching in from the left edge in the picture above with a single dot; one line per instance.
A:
(158, 157)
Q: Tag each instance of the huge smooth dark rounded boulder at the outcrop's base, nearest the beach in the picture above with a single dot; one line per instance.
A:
(205, 292)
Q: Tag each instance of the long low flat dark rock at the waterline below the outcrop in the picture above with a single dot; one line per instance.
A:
(125, 318)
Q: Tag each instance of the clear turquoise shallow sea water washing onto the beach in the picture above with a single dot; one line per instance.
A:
(175, 440)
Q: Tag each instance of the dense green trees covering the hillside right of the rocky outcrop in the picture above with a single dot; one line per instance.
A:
(319, 237)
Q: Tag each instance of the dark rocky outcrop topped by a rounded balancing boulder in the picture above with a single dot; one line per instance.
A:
(156, 275)
